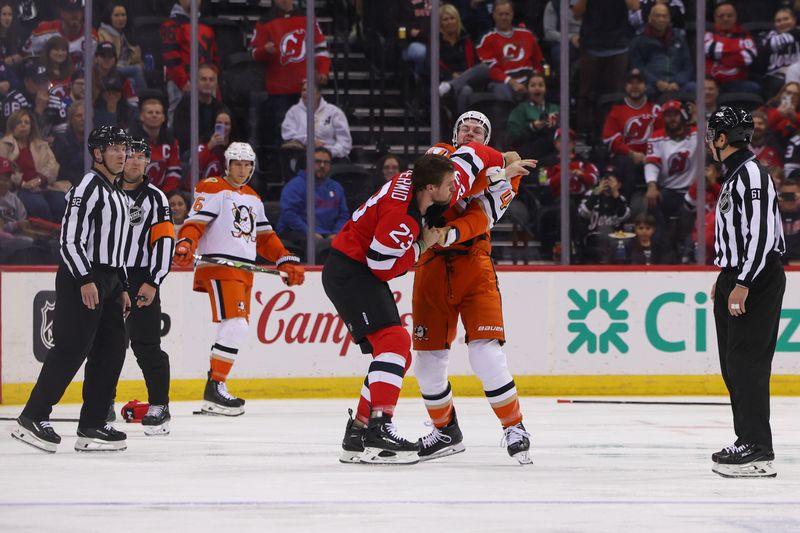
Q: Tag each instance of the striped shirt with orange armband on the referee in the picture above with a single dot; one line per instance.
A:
(151, 235)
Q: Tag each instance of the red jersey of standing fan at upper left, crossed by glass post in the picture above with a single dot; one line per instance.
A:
(176, 36)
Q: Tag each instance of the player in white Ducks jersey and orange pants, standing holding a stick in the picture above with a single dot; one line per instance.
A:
(227, 221)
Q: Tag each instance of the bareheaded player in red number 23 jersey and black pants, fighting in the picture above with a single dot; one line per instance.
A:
(383, 240)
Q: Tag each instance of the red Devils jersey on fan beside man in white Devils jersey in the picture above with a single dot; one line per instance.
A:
(629, 128)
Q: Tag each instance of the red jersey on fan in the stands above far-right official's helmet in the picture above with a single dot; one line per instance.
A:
(728, 54)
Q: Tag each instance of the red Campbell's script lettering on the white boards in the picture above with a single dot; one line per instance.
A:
(281, 320)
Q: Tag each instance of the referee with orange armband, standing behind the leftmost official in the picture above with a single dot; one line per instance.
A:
(148, 256)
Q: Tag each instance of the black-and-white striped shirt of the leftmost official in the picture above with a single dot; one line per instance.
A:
(95, 227)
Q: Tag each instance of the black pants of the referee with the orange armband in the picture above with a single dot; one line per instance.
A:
(144, 333)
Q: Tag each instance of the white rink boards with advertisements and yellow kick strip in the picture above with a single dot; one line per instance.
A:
(568, 332)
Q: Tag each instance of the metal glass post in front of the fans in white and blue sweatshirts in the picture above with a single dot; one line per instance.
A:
(311, 87)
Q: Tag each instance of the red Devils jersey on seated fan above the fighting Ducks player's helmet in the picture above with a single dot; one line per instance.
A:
(515, 54)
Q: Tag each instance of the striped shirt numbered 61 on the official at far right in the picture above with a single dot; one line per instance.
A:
(748, 224)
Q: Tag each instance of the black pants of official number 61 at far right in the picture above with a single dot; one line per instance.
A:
(746, 348)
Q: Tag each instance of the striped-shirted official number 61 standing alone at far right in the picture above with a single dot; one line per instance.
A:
(748, 291)
